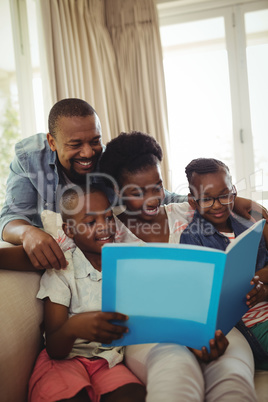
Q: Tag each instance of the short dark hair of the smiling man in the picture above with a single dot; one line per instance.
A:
(69, 107)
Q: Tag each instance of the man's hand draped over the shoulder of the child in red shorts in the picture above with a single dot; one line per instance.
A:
(42, 250)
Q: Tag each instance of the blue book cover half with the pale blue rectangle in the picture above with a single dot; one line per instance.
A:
(170, 293)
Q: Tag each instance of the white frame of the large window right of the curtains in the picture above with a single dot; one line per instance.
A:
(173, 12)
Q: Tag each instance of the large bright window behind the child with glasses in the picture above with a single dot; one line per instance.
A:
(215, 64)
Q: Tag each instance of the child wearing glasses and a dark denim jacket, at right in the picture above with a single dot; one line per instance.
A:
(212, 197)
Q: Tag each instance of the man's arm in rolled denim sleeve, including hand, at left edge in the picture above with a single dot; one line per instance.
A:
(21, 211)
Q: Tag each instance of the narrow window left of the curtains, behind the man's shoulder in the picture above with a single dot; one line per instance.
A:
(21, 101)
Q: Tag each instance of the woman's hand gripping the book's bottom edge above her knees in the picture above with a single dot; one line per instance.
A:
(218, 345)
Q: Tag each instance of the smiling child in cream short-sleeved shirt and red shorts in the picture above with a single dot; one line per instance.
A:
(74, 366)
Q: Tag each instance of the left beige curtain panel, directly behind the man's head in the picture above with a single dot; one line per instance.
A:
(80, 58)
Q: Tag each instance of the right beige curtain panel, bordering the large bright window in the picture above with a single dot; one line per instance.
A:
(134, 29)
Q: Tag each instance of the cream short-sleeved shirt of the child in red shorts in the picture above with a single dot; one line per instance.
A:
(78, 287)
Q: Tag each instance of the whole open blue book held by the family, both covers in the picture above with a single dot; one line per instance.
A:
(179, 293)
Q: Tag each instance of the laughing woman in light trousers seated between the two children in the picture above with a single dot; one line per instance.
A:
(171, 372)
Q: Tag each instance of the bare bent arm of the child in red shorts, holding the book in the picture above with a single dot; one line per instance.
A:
(61, 331)
